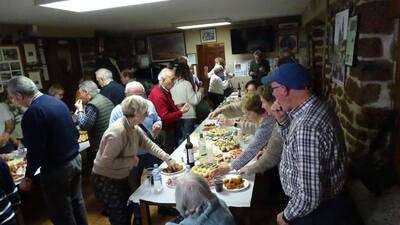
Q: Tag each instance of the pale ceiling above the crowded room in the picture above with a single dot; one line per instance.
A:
(150, 16)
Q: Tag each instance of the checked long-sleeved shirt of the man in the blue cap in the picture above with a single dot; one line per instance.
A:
(312, 169)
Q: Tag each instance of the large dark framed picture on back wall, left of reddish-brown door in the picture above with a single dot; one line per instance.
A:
(167, 47)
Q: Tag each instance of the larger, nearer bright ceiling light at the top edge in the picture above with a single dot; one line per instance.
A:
(90, 5)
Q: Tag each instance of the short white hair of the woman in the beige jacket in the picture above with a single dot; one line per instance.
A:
(133, 105)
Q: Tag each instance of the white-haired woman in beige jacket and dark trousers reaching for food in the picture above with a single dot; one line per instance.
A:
(117, 155)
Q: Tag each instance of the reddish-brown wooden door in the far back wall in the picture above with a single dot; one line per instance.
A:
(206, 54)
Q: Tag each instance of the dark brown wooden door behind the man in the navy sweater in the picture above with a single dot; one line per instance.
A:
(63, 62)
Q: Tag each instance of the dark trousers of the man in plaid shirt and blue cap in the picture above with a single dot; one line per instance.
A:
(331, 212)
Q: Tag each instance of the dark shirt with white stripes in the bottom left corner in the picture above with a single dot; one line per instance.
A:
(9, 197)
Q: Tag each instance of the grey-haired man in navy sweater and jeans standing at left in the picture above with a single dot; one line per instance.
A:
(51, 139)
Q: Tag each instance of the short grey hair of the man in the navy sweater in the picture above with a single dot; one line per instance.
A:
(22, 85)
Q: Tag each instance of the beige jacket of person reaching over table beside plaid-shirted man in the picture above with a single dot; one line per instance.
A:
(271, 156)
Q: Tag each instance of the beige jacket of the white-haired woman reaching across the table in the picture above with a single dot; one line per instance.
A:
(118, 148)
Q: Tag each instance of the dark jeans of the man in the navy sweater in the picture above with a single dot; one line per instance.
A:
(62, 191)
